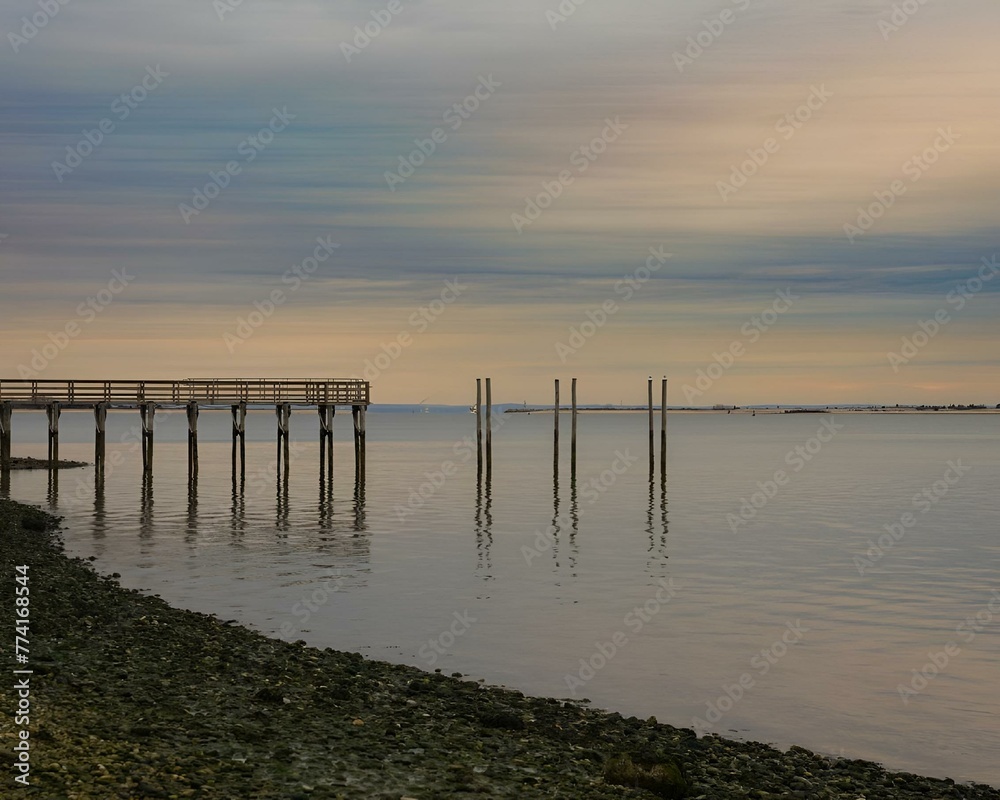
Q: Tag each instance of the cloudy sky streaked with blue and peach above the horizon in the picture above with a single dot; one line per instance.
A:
(766, 201)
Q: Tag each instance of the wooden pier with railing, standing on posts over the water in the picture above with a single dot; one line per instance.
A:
(193, 395)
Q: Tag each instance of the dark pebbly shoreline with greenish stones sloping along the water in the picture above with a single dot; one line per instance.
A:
(131, 698)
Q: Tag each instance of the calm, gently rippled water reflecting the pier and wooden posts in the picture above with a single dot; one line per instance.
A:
(478, 580)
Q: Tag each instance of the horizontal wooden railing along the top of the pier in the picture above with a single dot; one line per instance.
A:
(207, 391)
